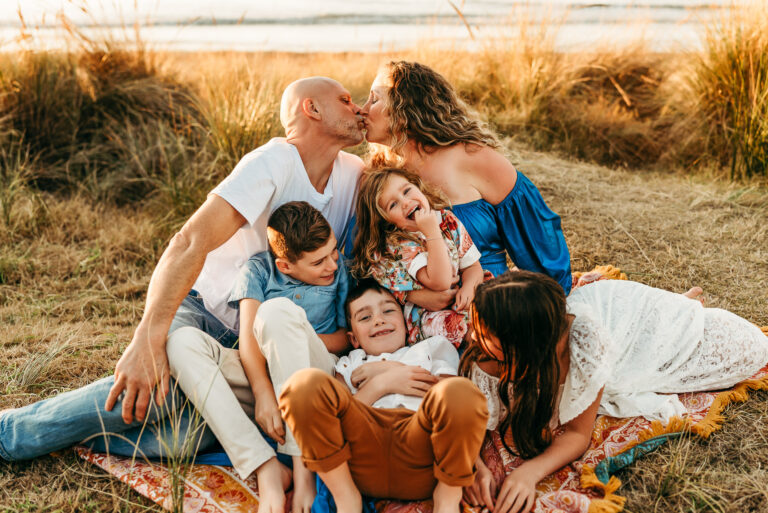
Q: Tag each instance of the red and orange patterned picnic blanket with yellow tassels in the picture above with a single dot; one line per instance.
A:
(584, 486)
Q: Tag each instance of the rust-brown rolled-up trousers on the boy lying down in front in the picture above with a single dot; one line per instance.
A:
(391, 453)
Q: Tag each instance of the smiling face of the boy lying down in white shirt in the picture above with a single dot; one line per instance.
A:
(377, 323)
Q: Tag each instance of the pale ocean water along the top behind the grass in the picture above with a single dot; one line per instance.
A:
(358, 25)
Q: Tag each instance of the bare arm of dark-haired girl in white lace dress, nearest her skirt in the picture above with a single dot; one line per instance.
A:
(518, 491)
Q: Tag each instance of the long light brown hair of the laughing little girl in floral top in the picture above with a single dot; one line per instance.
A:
(374, 232)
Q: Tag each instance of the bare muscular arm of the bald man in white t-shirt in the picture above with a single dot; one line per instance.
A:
(144, 362)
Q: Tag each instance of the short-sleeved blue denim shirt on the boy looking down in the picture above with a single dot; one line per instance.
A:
(260, 279)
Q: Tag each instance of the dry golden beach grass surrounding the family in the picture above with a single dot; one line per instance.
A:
(105, 150)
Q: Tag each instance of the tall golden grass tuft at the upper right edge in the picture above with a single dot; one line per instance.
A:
(730, 83)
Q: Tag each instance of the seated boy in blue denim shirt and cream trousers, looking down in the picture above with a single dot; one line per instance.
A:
(291, 302)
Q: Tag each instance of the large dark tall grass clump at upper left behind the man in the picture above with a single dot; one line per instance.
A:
(75, 110)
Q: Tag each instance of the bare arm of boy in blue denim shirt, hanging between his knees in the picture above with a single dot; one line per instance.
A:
(266, 411)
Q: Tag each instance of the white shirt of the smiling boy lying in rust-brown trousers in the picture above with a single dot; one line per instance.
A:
(435, 354)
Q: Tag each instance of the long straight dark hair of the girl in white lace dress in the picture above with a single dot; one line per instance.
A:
(526, 312)
